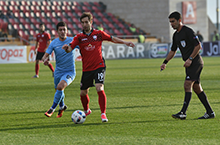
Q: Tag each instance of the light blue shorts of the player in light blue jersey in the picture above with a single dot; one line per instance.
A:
(67, 76)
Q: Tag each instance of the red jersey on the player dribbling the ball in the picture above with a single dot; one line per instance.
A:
(91, 48)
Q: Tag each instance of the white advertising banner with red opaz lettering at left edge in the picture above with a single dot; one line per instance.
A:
(13, 54)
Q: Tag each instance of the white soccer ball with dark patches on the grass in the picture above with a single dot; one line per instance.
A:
(78, 117)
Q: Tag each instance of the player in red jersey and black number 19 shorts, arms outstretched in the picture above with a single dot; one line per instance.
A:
(90, 43)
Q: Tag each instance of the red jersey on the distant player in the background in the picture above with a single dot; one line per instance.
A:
(42, 39)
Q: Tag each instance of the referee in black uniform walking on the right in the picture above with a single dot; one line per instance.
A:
(185, 39)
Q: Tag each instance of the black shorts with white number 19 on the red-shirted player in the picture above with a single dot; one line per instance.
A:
(88, 78)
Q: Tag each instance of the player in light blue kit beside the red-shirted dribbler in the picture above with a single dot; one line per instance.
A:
(65, 68)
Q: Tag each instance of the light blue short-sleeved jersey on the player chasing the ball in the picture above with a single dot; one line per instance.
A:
(64, 61)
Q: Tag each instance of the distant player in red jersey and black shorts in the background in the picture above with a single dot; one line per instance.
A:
(42, 42)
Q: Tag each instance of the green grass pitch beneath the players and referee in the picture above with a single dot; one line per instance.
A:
(141, 100)
